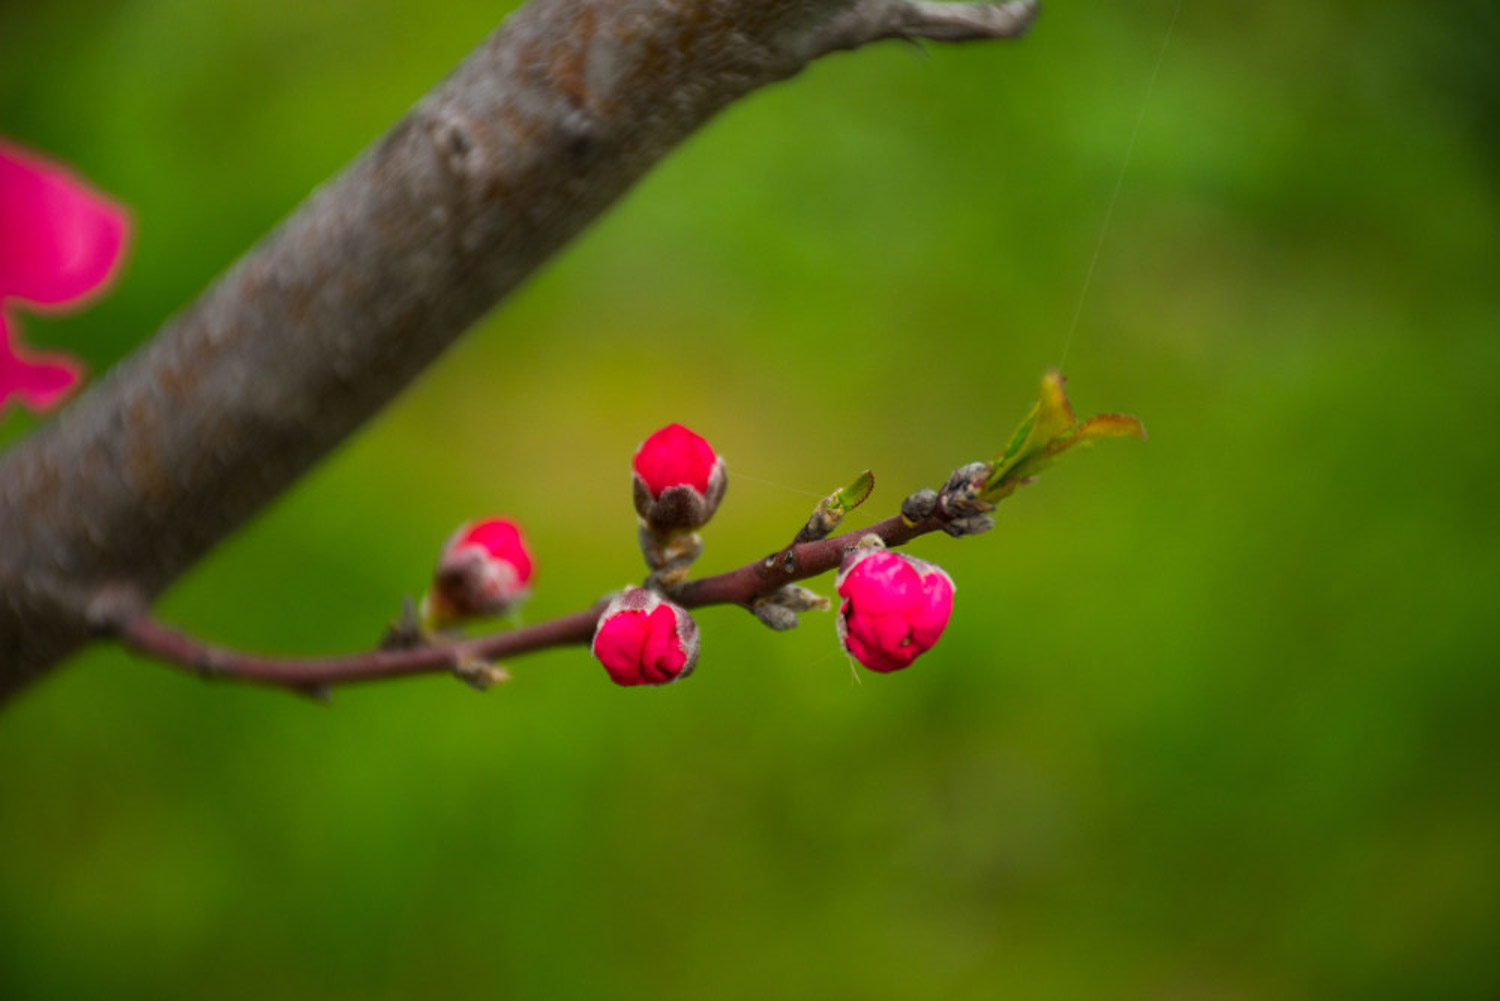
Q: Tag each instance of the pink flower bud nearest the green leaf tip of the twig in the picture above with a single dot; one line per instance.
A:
(895, 607)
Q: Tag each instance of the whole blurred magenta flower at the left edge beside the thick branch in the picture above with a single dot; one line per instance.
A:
(61, 242)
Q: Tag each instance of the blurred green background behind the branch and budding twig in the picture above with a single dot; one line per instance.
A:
(1217, 715)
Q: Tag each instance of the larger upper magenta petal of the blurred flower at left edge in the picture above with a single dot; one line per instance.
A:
(59, 239)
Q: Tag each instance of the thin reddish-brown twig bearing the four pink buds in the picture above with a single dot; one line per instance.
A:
(130, 621)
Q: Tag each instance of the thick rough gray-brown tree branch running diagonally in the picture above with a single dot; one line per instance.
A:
(320, 325)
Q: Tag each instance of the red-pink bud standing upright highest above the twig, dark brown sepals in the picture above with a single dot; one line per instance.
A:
(677, 479)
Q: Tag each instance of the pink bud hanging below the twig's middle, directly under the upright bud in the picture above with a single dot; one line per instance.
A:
(646, 640)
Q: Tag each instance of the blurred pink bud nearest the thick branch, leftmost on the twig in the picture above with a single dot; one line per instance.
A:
(485, 570)
